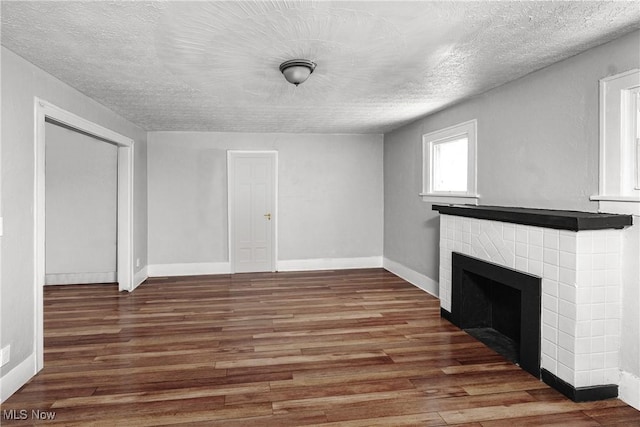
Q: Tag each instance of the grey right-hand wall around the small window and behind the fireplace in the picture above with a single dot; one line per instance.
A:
(537, 147)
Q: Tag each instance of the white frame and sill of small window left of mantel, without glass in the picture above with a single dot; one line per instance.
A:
(429, 140)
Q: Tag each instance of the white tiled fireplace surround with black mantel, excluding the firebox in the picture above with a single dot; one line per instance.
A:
(581, 283)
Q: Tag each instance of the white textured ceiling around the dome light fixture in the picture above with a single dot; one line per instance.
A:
(213, 66)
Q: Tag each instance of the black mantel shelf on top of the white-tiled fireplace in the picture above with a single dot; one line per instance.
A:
(546, 218)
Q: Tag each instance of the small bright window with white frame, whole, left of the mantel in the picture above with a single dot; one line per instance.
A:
(449, 165)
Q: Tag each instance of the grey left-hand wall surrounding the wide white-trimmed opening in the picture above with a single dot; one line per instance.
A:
(21, 82)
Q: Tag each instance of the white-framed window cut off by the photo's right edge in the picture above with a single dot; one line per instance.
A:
(619, 177)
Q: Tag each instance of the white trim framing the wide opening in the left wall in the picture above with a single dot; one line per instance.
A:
(46, 111)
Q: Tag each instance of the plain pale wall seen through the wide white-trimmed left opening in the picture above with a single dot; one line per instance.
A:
(81, 207)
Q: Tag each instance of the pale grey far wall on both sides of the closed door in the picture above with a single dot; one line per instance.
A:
(330, 195)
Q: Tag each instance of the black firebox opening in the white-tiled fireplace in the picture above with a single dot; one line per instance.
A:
(498, 306)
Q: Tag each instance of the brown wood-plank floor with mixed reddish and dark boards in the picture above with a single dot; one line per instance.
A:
(348, 348)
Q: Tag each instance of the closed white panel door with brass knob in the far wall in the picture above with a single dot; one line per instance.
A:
(252, 216)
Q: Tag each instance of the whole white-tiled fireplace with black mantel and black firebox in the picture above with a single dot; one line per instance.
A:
(575, 257)
